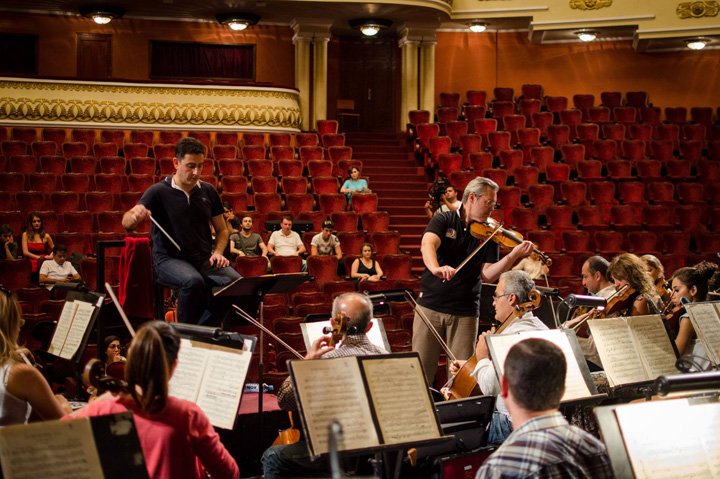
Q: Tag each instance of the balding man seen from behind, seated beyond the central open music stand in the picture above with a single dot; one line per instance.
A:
(292, 460)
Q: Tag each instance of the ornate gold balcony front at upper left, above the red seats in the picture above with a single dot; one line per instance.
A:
(122, 104)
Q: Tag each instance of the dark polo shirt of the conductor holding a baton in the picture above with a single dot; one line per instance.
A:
(188, 222)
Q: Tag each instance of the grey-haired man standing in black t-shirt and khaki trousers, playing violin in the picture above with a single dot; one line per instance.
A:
(451, 302)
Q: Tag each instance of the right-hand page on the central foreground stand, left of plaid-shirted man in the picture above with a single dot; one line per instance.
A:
(399, 395)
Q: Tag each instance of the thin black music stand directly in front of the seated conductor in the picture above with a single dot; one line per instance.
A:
(258, 287)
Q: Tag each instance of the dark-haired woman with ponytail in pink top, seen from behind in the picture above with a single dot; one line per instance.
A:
(176, 437)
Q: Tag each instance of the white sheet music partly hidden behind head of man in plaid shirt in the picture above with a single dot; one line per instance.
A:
(575, 386)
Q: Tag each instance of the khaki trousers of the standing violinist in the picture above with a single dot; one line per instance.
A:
(458, 332)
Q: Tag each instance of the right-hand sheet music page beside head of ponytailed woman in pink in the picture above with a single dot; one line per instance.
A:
(222, 385)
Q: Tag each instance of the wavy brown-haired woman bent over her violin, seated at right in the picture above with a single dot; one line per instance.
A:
(628, 269)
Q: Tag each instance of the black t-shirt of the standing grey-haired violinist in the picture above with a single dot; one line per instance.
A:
(461, 295)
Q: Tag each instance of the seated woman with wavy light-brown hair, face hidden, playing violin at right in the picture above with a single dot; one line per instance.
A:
(639, 296)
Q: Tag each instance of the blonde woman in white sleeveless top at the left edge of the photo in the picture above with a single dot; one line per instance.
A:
(24, 393)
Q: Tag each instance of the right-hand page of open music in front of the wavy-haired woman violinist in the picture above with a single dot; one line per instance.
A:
(653, 343)
